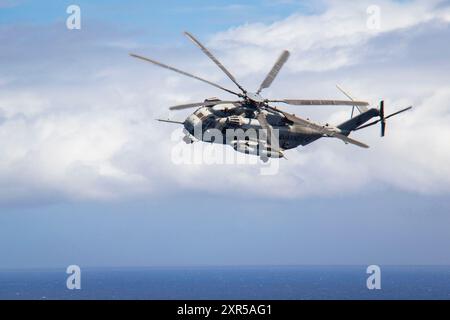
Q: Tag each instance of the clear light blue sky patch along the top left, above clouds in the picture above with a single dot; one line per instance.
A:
(159, 18)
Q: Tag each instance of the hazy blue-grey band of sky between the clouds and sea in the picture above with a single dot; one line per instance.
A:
(169, 232)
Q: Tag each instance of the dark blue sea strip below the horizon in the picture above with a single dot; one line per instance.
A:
(290, 282)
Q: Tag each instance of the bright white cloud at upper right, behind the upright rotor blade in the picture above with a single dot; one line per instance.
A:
(329, 40)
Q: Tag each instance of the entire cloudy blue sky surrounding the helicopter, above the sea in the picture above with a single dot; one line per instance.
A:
(87, 175)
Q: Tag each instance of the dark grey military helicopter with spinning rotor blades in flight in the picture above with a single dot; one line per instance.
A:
(276, 130)
